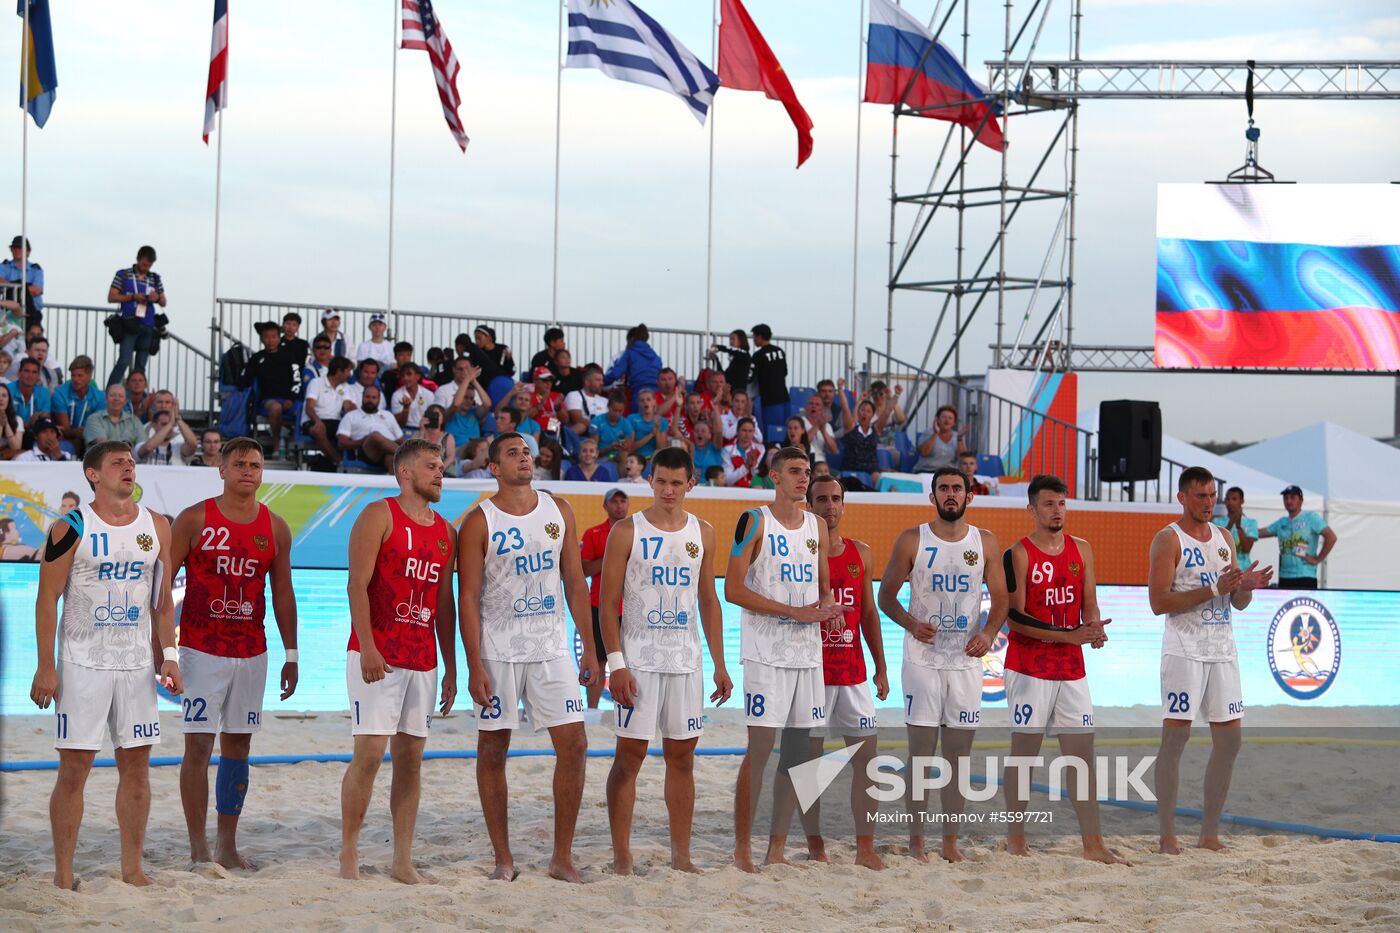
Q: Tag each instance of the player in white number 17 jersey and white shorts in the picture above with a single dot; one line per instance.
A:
(660, 564)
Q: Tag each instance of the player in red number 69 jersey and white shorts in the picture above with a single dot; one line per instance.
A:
(1055, 613)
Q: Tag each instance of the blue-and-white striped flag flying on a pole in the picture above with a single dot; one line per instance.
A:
(624, 43)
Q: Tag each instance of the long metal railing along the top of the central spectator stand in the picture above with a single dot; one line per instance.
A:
(808, 359)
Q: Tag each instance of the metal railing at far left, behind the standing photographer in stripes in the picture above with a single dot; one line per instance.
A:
(180, 366)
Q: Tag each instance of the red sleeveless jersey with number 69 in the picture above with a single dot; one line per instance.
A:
(1055, 595)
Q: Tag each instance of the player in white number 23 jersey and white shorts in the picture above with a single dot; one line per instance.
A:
(517, 565)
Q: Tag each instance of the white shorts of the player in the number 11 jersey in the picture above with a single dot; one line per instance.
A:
(90, 698)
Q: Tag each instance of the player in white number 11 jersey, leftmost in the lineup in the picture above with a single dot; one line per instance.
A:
(110, 561)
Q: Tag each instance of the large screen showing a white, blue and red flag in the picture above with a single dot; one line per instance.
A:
(1279, 277)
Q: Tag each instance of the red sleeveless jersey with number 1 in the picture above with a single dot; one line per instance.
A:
(404, 590)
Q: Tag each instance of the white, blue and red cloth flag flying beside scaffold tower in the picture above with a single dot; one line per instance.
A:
(898, 43)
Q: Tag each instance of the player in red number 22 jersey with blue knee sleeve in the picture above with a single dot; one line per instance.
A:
(229, 546)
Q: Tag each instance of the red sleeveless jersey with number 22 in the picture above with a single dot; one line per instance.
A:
(226, 575)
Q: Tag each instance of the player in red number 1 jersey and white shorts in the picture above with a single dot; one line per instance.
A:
(401, 614)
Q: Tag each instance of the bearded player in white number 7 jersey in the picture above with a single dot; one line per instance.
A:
(947, 562)
